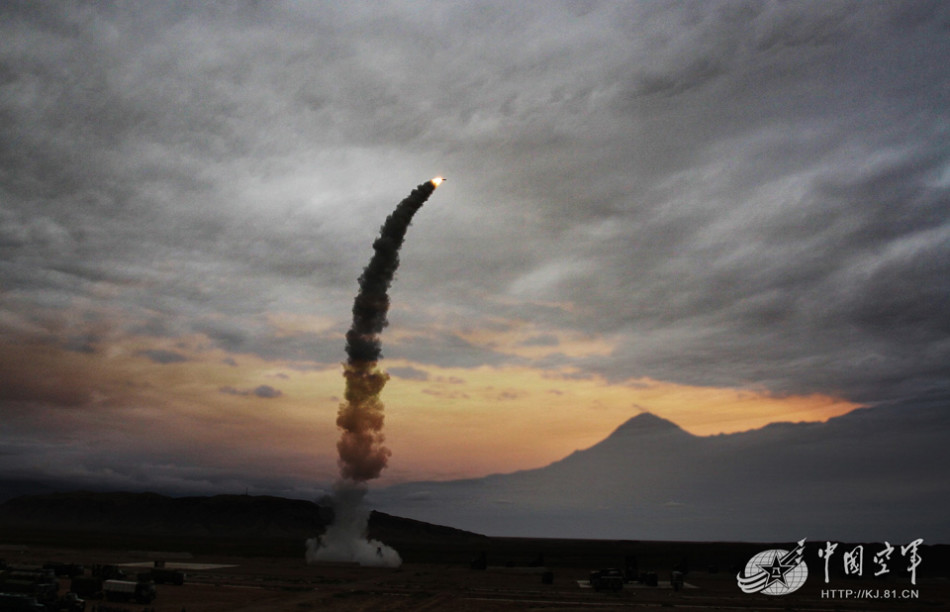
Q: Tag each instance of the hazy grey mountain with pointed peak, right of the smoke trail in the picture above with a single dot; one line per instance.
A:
(870, 475)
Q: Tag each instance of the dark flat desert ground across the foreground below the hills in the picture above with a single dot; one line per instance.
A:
(514, 579)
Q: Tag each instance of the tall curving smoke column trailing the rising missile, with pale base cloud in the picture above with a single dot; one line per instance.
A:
(362, 455)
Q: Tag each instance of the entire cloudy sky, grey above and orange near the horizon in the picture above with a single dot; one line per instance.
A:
(726, 213)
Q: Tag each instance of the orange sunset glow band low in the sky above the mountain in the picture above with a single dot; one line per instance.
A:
(457, 422)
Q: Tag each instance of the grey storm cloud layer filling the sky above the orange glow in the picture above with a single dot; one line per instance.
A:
(737, 193)
